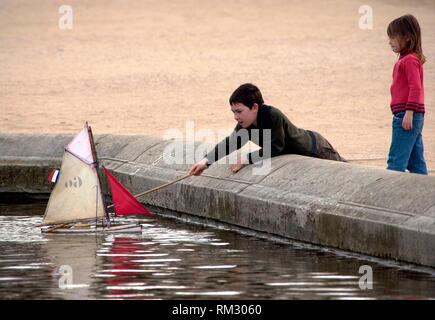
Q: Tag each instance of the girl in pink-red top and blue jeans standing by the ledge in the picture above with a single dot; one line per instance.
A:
(407, 97)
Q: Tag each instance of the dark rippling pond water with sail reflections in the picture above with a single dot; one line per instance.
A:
(173, 259)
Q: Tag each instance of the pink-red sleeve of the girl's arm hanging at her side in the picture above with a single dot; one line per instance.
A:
(415, 96)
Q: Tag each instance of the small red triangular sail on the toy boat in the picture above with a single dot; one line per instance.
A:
(124, 202)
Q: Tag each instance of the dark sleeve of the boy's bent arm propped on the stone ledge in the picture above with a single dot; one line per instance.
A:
(277, 142)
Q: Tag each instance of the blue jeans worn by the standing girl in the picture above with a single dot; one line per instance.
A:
(406, 150)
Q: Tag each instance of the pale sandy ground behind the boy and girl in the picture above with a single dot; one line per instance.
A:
(145, 67)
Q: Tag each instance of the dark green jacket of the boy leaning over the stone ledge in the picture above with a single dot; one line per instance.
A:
(285, 137)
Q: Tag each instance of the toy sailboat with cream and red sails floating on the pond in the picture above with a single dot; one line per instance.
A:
(76, 204)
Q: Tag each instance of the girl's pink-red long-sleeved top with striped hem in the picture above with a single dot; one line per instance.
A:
(407, 92)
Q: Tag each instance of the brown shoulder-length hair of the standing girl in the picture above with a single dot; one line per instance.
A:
(407, 26)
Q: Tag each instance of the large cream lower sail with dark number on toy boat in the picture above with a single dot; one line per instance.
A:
(77, 194)
